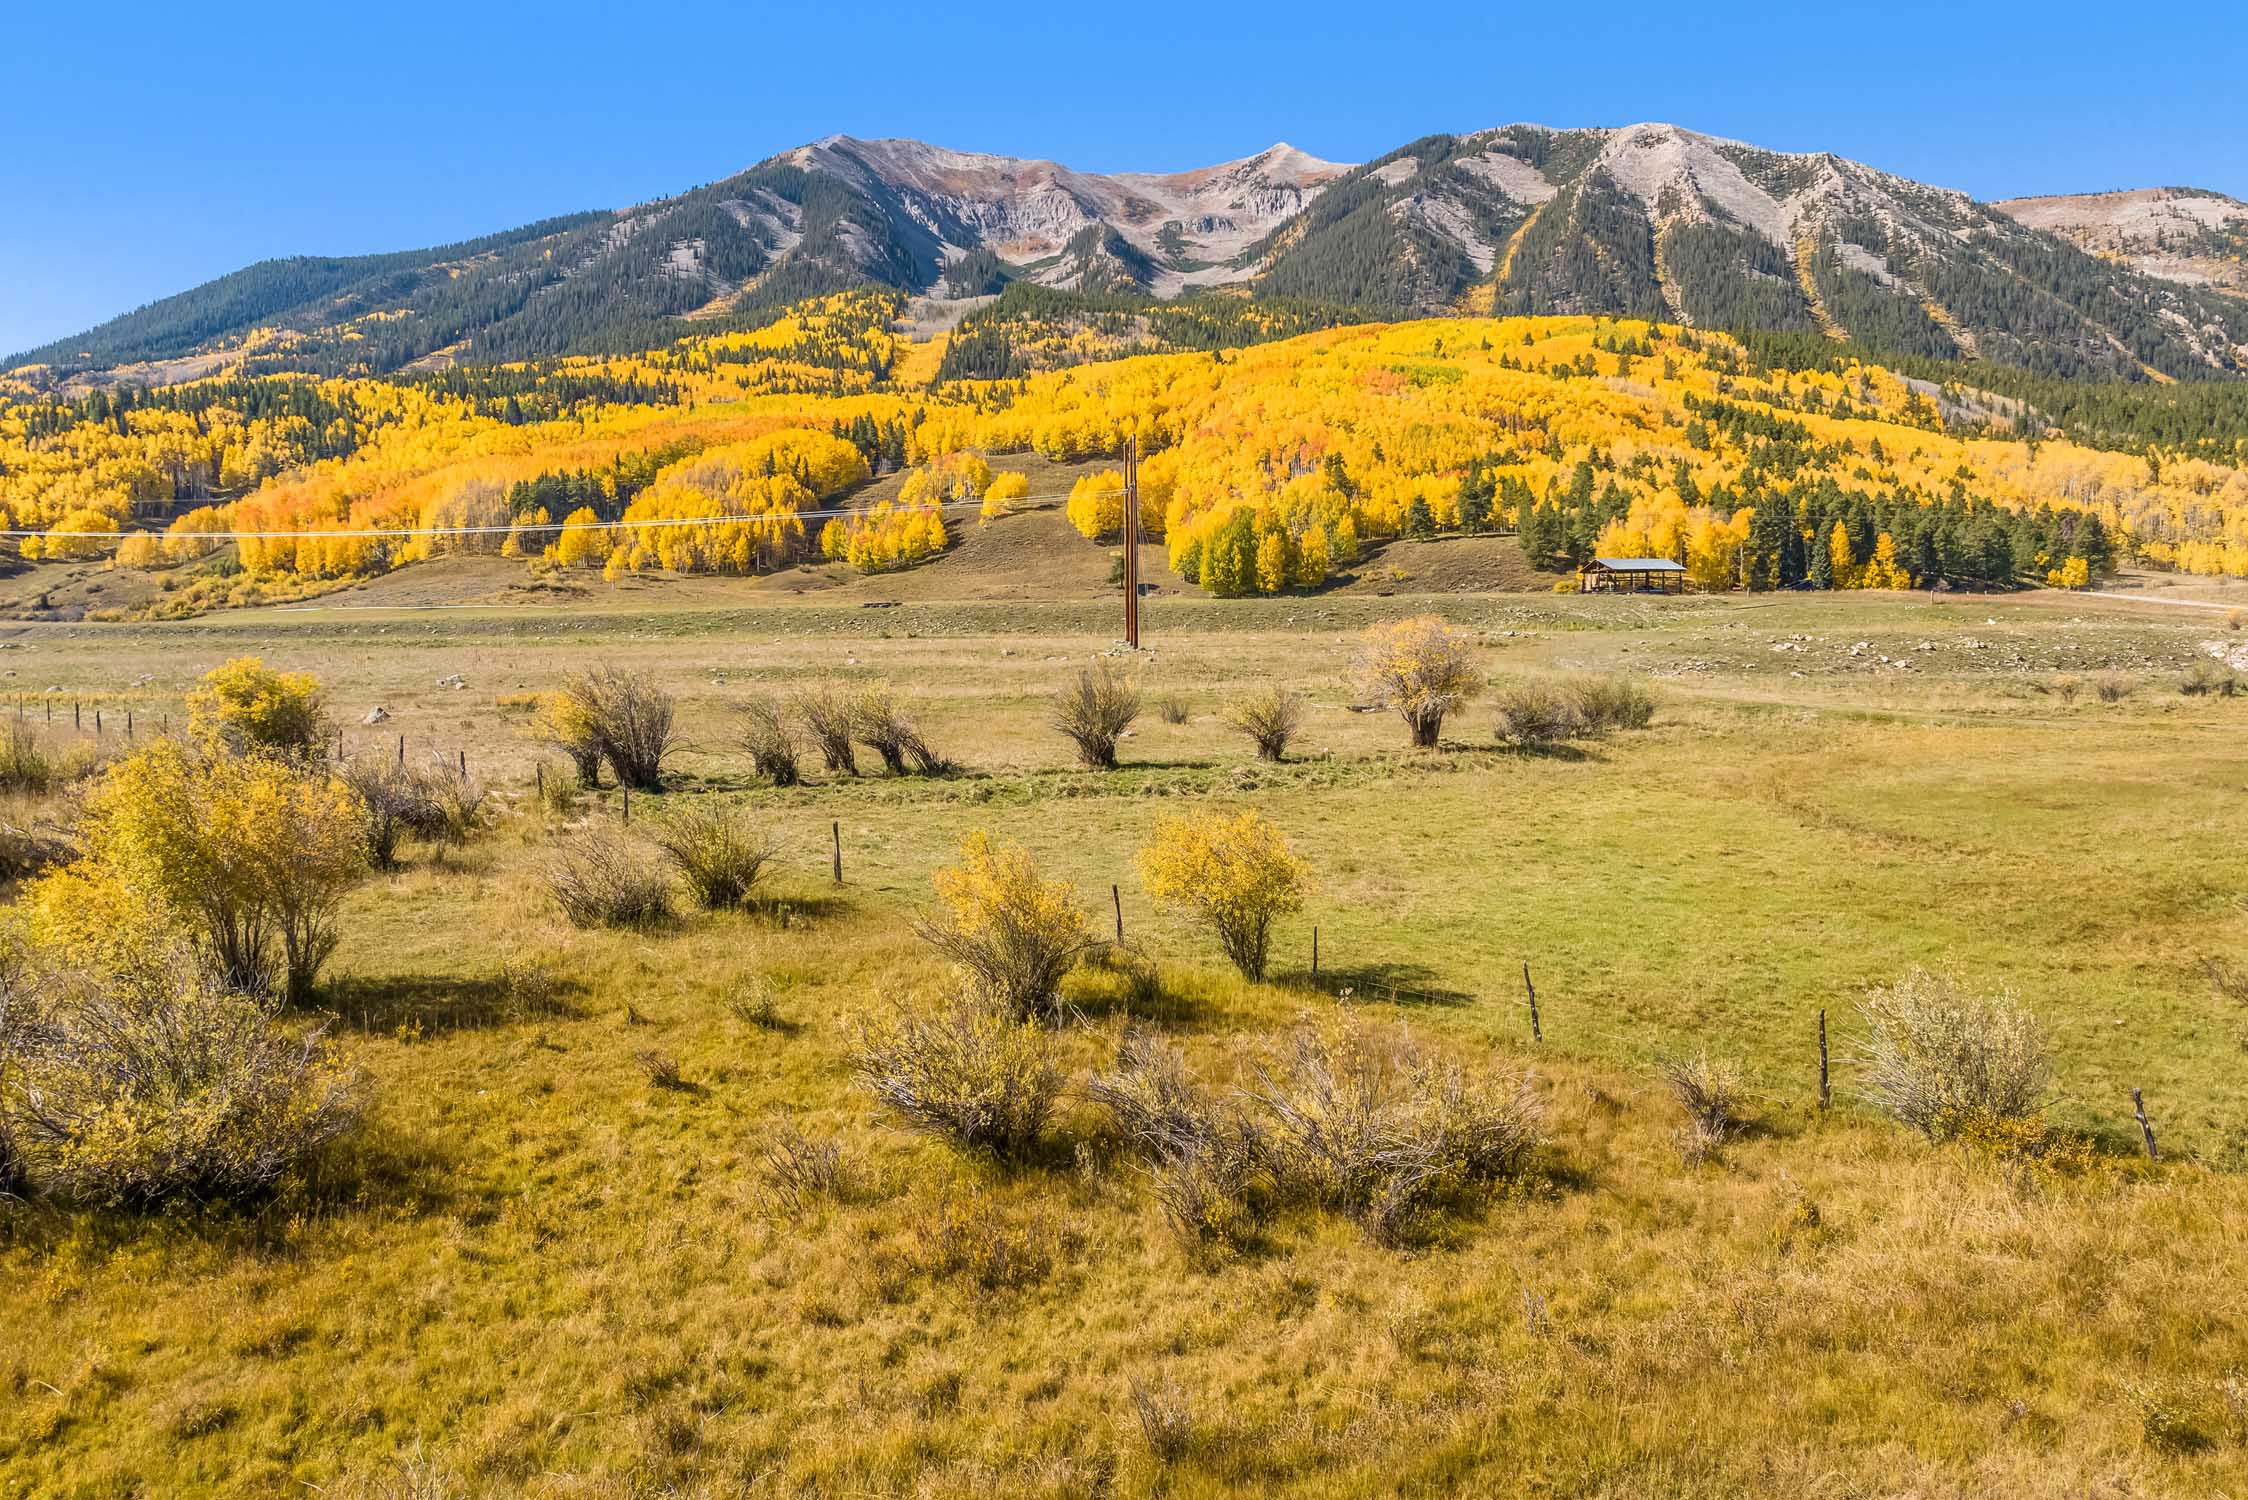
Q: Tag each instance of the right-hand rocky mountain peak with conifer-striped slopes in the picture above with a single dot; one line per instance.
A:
(1667, 224)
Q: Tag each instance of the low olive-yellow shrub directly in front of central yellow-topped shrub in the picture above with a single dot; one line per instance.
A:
(963, 1072)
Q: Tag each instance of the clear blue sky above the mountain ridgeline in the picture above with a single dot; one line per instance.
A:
(156, 147)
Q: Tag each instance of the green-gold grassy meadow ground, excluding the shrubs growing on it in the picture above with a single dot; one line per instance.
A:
(543, 1272)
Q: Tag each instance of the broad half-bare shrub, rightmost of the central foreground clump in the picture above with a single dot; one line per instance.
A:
(1368, 1126)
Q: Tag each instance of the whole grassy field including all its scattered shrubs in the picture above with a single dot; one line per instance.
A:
(388, 1112)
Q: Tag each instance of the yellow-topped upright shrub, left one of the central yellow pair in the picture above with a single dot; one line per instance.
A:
(1010, 932)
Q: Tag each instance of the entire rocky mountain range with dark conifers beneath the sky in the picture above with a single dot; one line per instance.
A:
(1647, 222)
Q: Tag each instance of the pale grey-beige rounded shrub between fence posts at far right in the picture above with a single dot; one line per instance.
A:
(1943, 1058)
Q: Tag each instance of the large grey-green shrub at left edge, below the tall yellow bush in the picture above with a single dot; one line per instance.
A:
(161, 1083)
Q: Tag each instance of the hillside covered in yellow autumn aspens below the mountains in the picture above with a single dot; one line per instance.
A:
(1264, 469)
